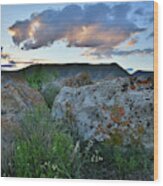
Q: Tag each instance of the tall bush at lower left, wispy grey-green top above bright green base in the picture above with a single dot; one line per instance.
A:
(41, 150)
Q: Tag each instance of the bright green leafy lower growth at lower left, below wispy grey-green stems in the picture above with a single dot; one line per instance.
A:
(34, 159)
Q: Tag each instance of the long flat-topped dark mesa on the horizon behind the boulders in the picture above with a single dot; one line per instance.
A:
(96, 72)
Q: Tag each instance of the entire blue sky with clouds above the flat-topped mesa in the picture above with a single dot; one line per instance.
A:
(120, 32)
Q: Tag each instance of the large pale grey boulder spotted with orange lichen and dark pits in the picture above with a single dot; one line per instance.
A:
(115, 110)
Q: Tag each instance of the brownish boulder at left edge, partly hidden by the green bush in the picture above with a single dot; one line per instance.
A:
(16, 98)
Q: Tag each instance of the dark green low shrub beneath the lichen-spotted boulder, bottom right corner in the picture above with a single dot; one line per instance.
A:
(127, 162)
